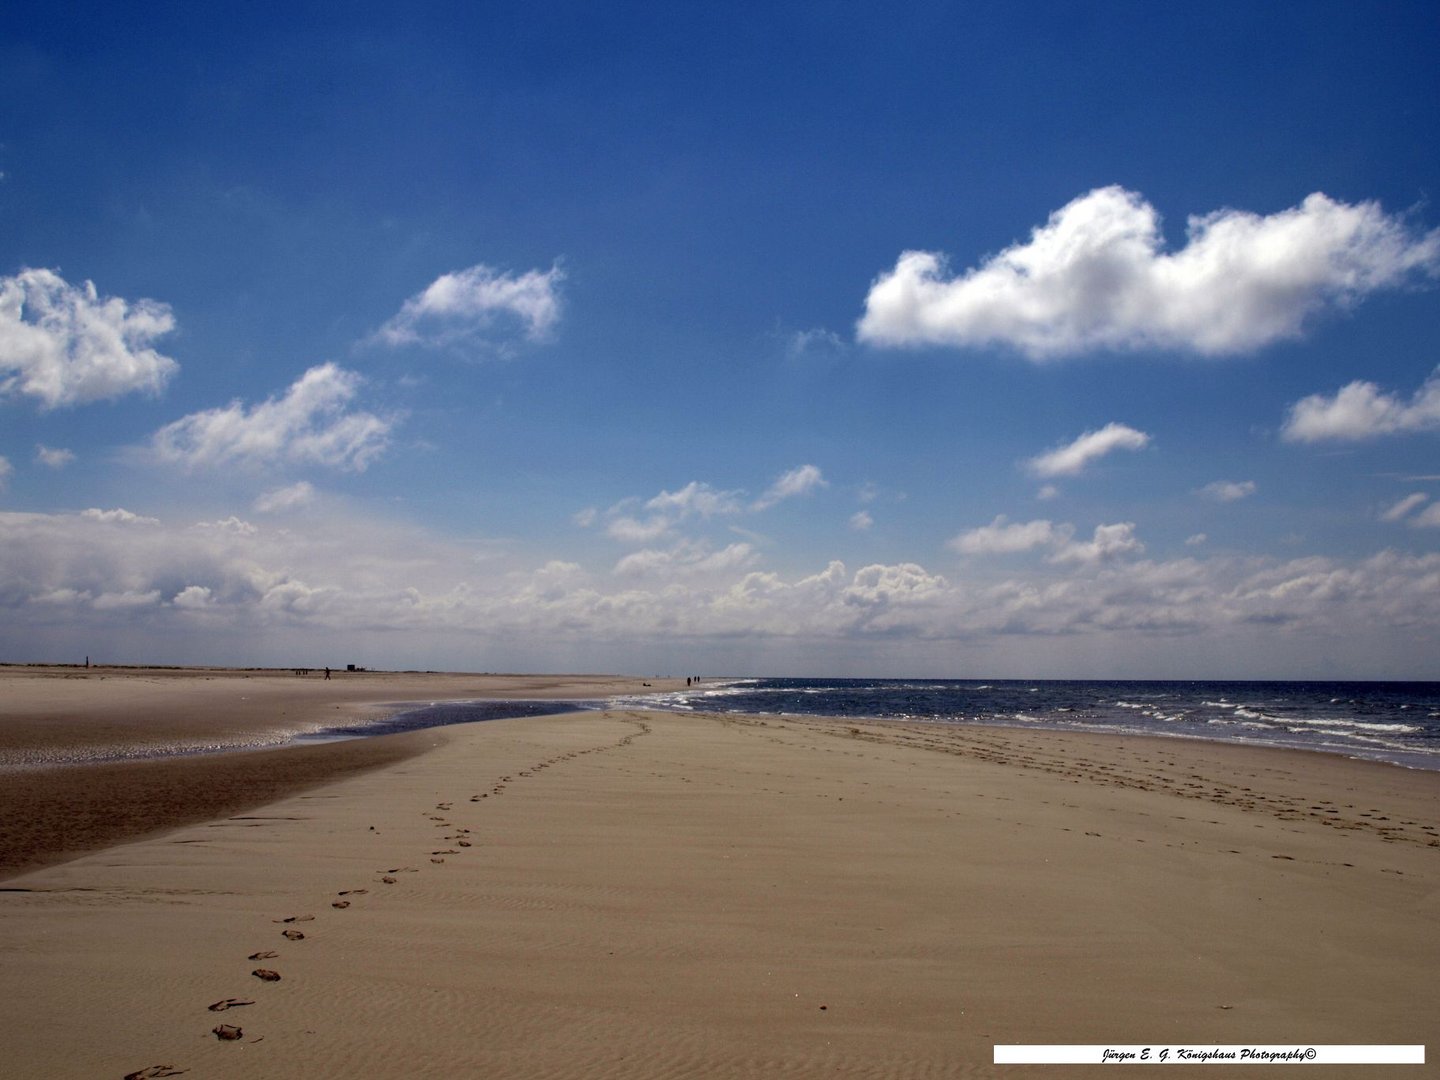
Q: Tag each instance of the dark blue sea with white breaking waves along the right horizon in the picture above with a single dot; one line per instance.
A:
(1389, 722)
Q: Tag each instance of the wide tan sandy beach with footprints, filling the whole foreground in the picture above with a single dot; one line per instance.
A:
(649, 895)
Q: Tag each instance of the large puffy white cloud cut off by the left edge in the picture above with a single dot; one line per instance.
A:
(67, 345)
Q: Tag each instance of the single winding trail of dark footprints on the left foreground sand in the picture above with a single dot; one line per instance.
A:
(459, 839)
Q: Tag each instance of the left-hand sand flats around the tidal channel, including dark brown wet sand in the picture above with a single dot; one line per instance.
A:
(67, 794)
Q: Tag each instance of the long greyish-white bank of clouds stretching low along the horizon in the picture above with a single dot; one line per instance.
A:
(76, 580)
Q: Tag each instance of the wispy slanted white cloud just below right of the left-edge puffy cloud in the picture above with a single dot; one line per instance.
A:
(312, 424)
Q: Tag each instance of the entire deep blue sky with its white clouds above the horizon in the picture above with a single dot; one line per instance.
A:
(773, 339)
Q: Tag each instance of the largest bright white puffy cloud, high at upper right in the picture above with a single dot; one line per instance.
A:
(1095, 277)
